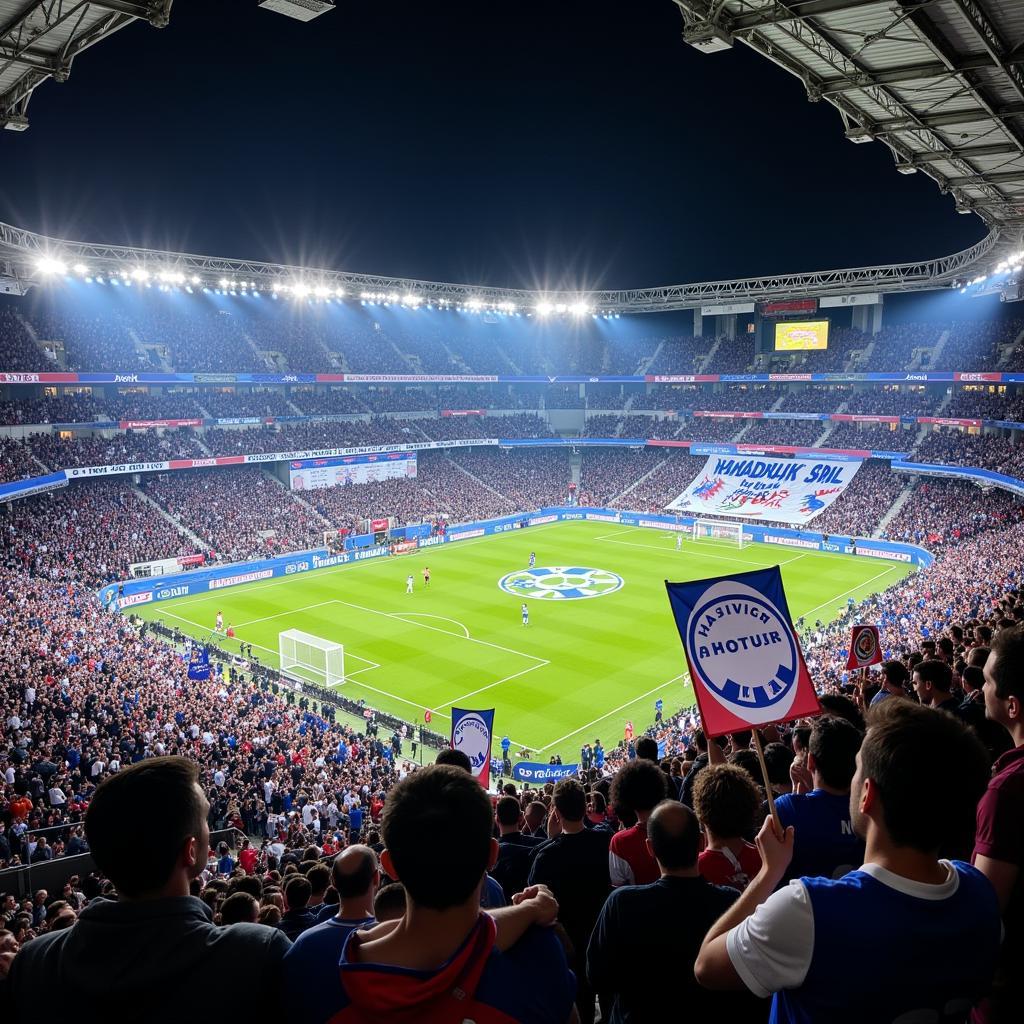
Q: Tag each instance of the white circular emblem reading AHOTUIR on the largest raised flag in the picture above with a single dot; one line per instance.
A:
(742, 650)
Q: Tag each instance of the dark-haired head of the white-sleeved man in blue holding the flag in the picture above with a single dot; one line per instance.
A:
(920, 776)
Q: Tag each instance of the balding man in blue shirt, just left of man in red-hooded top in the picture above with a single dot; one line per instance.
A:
(312, 965)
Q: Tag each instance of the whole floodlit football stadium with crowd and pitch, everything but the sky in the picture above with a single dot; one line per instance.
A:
(277, 535)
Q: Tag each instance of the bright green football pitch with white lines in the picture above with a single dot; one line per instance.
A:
(579, 671)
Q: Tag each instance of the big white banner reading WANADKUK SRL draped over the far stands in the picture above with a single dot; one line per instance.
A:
(790, 491)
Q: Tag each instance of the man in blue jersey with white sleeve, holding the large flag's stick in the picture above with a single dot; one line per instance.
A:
(919, 779)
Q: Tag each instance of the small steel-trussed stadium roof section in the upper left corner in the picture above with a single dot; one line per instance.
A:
(39, 39)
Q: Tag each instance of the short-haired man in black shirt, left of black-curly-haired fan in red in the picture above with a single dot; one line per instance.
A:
(575, 866)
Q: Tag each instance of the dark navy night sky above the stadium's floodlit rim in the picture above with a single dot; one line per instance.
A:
(545, 143)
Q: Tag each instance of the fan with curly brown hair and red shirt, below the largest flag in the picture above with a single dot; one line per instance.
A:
(727, 802)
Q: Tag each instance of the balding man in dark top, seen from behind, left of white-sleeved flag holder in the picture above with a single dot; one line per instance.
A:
(647, 940)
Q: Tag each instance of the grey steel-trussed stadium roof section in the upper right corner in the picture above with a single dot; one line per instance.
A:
(940, 82)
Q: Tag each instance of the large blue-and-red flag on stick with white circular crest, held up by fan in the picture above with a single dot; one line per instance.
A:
(745, 659)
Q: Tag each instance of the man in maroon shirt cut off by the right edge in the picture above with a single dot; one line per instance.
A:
(999, 849)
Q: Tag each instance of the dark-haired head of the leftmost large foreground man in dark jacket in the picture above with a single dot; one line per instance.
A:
(175, 845)
